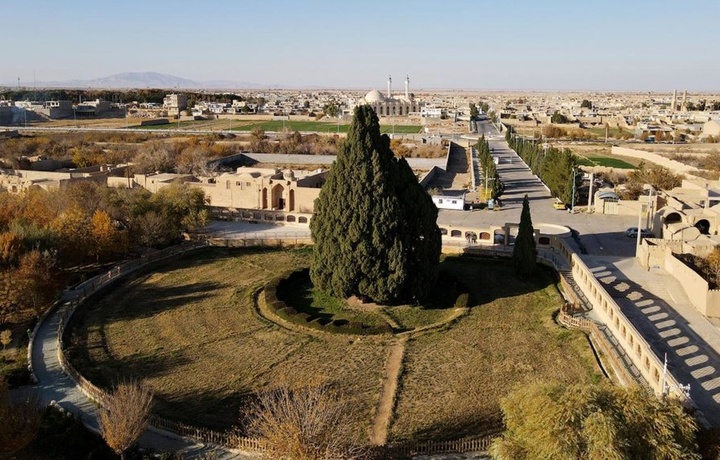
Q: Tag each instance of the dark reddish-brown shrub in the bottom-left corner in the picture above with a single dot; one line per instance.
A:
(19, 420)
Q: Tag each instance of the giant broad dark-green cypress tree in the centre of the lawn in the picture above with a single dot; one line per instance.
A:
(374, 227)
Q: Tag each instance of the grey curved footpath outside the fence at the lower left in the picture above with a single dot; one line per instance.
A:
(54, 385)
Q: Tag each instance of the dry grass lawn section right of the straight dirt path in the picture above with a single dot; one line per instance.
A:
(453, 379)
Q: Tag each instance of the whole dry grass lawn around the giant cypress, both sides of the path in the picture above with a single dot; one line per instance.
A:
(190, 329)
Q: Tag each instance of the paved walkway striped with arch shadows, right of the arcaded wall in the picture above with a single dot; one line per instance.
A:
(657, 306)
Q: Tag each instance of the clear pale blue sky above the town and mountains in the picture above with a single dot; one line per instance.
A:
(500, 44)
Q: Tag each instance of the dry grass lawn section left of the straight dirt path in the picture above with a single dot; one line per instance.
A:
(190, 331)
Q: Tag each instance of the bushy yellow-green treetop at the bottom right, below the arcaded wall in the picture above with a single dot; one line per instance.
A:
(560, 422)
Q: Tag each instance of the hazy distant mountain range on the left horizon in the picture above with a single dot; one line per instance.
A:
(140, 80)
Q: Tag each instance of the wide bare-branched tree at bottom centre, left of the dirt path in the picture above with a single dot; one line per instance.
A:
(311, 423)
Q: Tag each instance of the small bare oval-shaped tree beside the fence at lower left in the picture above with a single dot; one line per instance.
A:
(125, 416)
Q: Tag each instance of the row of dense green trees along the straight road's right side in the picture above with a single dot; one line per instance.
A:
(553, 166)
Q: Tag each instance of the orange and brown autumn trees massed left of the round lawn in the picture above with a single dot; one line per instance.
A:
(43, 232)
